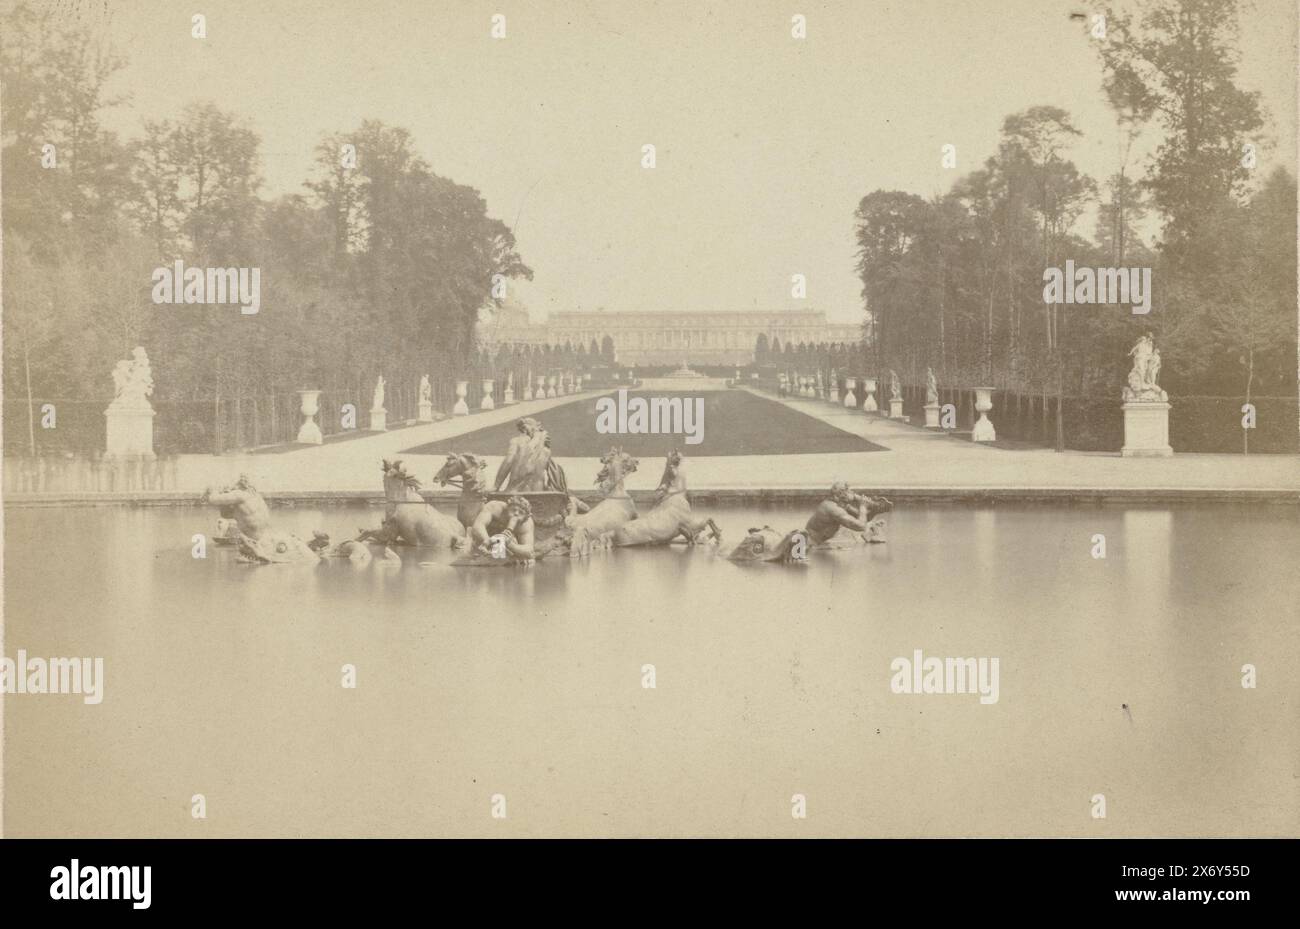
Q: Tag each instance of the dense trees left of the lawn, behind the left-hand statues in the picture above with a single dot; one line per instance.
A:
(379, 264)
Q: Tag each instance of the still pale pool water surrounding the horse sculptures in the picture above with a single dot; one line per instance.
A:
(1119, 676)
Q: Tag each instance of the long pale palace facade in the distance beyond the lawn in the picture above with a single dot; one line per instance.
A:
(670, 338)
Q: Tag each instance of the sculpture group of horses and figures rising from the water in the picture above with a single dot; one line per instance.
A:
(528, 514)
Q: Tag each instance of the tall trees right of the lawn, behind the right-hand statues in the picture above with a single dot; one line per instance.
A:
(957, 281)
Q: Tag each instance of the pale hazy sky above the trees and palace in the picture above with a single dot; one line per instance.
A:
(765, 144)
